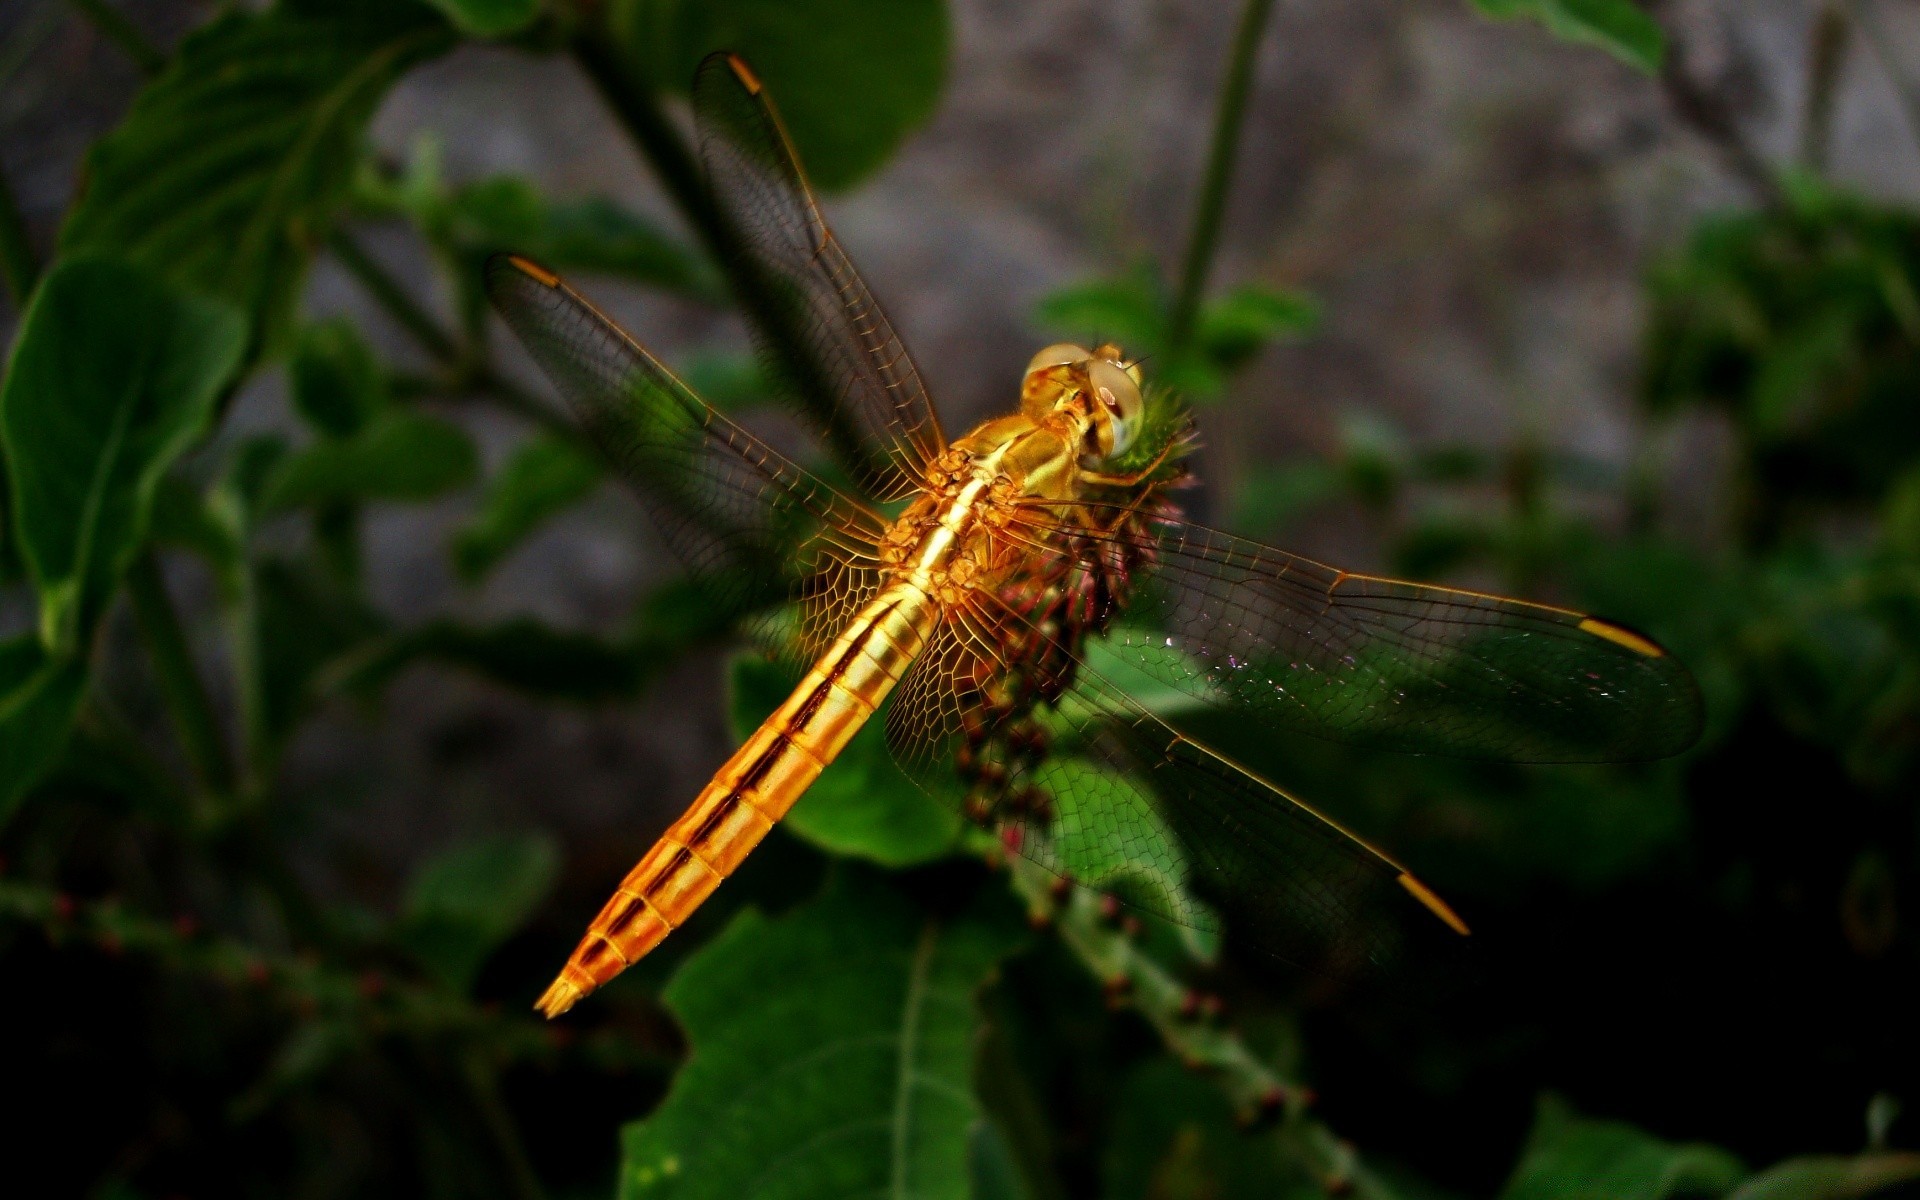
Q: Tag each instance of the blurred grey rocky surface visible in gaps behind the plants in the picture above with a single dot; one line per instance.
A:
(1472, 203)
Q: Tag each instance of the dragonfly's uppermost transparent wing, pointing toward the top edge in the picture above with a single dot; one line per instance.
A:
(821, 327)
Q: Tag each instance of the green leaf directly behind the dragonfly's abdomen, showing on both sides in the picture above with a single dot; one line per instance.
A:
(863, 805)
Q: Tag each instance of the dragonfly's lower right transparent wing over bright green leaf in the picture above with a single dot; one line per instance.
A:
(1109, 796)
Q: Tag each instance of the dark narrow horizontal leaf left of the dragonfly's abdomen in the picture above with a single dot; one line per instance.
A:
(519, 654)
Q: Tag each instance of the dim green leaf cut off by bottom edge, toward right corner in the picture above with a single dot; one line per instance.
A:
(1575, 1159)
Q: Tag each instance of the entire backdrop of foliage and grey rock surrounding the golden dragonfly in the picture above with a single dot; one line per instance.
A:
(337, 686)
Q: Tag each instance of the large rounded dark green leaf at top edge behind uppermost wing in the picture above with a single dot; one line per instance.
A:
(813, 57)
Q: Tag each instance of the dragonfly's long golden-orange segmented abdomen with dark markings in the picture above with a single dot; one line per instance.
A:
(757, 786)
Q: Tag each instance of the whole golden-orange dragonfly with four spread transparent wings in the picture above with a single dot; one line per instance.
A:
(1003, 600)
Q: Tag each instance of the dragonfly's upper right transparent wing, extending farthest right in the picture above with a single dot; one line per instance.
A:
(1389, 663)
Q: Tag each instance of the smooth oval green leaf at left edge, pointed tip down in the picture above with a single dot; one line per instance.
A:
(114, 375)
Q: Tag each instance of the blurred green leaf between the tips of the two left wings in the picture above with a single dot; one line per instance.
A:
(512, 214)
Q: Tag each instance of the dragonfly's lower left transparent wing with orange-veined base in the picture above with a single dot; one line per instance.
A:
(752, 527)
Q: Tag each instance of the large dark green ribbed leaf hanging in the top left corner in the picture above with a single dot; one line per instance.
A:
(233, 164)
